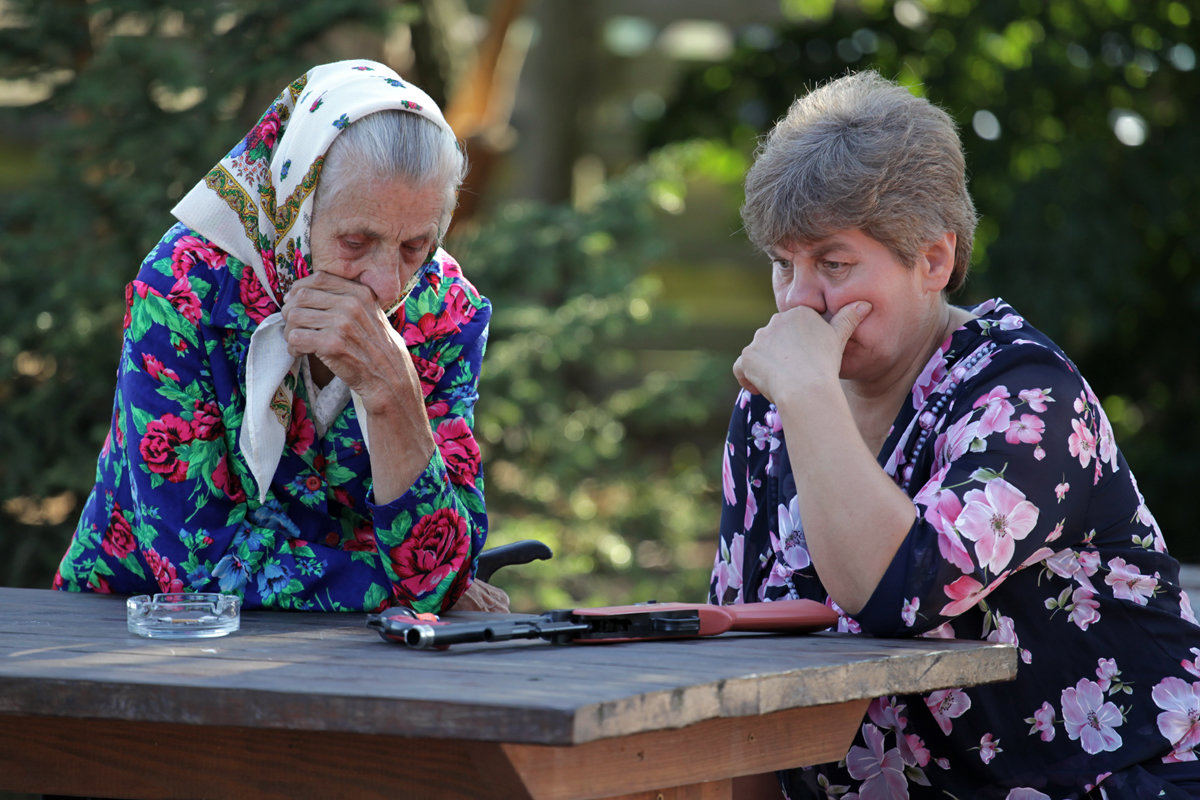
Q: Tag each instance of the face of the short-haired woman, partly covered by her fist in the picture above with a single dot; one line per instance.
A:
(848, 267)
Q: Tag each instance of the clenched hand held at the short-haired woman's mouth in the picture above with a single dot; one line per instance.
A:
(796, 348)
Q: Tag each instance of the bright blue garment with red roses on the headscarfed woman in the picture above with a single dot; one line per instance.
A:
(175, 507)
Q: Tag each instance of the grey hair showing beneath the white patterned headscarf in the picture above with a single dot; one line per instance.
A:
(394, 145)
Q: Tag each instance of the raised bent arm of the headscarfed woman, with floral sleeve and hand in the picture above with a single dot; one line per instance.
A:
(427, 482)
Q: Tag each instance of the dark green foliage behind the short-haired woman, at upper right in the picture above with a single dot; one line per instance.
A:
(1079, 119)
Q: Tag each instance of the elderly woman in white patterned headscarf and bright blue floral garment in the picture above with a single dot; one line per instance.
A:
(299, 371)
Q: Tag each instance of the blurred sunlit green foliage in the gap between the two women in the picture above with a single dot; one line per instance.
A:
(589, 426)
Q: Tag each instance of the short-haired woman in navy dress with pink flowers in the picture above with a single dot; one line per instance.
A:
(935, 471)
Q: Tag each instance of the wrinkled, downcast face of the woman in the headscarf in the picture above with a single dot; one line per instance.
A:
(377, 232)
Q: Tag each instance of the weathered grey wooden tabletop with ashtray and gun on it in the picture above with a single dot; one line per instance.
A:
(329, 672)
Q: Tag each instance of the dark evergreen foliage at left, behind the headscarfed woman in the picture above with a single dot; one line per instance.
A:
(142, 99)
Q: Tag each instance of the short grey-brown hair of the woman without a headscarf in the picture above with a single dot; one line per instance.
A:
(862, 153)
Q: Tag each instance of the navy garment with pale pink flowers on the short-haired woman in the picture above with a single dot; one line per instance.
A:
(1031, 531)
